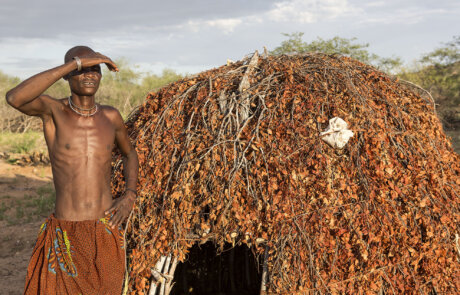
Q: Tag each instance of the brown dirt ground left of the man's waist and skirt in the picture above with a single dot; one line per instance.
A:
(25, 201)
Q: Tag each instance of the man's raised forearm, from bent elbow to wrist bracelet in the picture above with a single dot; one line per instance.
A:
(33, 87)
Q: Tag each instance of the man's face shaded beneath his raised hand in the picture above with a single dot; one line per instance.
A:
(86, 81)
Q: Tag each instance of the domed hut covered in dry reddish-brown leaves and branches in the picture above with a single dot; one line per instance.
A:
(234, 157)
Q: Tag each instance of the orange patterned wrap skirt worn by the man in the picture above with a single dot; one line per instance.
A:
(77, 257)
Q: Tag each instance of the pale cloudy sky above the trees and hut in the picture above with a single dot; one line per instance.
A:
(190, 36)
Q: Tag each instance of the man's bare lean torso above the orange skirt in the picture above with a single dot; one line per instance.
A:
(80, 151)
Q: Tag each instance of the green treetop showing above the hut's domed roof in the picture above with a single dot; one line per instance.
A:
(336, 45)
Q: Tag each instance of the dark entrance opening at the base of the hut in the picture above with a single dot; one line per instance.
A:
(231, 272)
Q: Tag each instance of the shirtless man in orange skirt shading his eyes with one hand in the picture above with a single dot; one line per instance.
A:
(80, 248)
